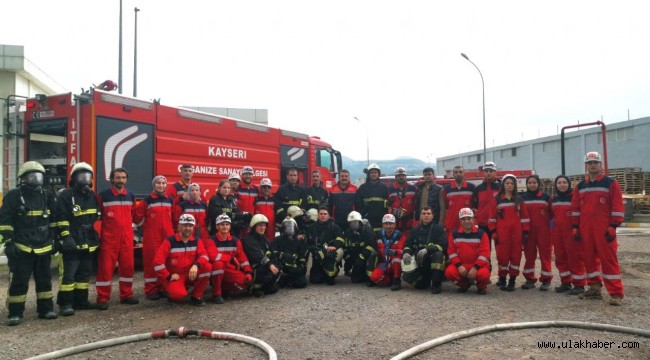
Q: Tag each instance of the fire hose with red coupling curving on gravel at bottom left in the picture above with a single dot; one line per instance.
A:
(182, 332)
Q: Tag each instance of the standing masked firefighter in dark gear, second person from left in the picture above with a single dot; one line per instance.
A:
(76, 214)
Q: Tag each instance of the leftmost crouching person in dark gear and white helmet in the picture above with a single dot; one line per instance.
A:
(258, 250)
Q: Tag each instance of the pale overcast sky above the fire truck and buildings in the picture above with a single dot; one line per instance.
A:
(395, 65)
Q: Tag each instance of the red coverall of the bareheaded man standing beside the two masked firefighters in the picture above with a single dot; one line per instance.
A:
(116, 244)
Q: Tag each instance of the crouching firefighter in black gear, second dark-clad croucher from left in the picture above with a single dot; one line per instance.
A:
(291, 253)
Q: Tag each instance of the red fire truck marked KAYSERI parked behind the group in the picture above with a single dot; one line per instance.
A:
(108, 130)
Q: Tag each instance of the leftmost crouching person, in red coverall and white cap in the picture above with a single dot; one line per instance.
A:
(181, 261)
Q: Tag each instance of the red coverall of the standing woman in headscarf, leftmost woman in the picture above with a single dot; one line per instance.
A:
(154, 214)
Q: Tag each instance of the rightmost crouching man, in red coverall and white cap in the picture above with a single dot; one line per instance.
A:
(469, 253)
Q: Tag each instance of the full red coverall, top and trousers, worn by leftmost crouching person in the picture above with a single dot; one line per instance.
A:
(176, 257)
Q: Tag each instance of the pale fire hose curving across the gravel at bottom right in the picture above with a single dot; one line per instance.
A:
(518, 326)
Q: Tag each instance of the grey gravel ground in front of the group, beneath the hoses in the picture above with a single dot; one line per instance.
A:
(351, 321)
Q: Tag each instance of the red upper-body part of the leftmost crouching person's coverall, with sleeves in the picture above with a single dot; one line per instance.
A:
(177, 257)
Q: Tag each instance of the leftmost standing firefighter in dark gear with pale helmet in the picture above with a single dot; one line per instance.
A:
(25, 221)
